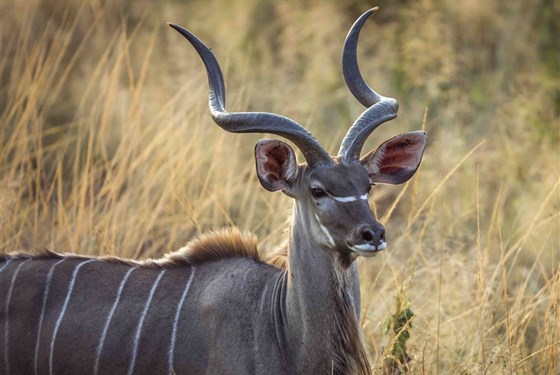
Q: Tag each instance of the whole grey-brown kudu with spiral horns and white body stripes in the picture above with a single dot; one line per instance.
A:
(214, 307)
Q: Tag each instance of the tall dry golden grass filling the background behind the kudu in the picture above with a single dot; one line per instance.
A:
(108, 148)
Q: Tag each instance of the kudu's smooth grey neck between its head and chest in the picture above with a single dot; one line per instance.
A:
(322, 296)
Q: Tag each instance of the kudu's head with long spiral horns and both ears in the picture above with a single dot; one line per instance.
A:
(331, 193)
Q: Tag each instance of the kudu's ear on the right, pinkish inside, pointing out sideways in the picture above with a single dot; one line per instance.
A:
(396, 160)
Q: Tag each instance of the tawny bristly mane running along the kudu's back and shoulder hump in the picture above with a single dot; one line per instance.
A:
(208, 247)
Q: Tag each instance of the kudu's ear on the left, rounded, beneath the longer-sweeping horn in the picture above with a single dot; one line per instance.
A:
(276, 164)
